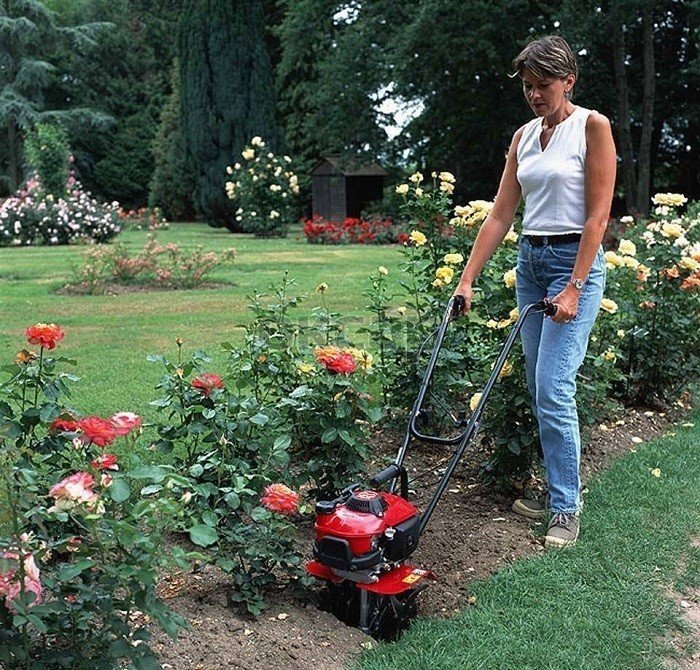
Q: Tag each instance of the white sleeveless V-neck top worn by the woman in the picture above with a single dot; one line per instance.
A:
(552, 180)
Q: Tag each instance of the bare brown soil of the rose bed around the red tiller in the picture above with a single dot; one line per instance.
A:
(471, 535)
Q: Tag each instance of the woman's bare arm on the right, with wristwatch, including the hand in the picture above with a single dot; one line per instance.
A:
(600, 168)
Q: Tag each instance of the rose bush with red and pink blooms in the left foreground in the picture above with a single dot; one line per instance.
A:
(82, 526)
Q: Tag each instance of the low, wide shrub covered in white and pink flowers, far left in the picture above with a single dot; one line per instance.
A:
(34, 216)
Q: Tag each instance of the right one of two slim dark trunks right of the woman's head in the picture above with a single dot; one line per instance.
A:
(644, 153)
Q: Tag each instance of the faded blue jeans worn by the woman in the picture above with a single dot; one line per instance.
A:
(553, 354)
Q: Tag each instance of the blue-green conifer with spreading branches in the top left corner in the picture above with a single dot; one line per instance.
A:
(29, 38)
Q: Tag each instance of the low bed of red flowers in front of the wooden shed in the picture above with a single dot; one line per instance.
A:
(353, 231)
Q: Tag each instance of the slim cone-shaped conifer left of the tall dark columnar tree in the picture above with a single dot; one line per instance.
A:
(172, 184)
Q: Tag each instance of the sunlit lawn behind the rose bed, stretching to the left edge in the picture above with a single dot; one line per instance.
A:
(111, 336)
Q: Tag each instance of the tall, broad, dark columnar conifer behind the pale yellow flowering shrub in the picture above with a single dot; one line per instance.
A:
(227, 95)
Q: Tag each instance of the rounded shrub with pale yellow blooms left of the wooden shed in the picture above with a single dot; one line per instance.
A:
(263, 188)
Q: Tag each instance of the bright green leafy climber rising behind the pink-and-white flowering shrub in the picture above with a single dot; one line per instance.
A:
(47, 151)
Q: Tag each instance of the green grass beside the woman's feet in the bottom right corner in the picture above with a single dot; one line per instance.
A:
(604, 604)
